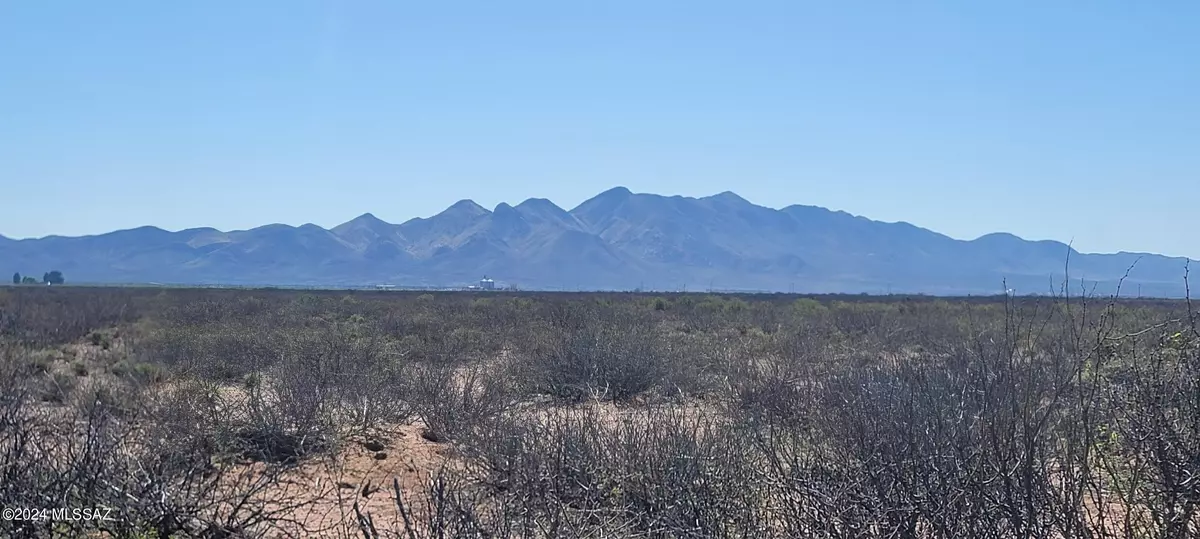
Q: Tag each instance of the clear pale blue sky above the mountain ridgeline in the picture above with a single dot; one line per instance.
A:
(1064, 121)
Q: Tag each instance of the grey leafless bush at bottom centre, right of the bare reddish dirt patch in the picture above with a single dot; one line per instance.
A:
(655, 474)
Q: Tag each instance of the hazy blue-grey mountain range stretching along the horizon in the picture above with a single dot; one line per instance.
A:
(615, 241)
